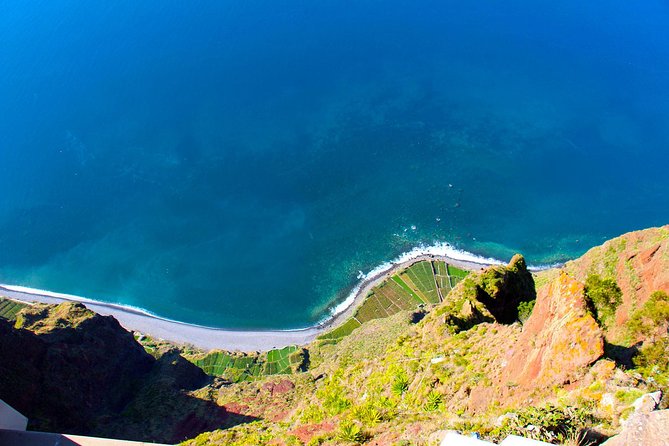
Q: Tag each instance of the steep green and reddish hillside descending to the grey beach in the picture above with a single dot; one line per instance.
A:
(503, 351)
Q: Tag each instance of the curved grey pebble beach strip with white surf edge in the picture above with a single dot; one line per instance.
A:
(209, 338)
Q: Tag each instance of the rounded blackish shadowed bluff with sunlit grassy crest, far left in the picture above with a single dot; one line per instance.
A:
(76, 365)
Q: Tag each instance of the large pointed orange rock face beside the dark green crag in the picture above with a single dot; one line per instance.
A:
(558, 340)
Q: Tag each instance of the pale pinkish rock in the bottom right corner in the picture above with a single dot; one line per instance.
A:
(643, 429)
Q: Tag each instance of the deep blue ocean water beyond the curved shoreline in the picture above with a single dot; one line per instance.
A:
(236, 163)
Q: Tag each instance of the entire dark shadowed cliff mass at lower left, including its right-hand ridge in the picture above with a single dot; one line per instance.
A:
(70, 370)
